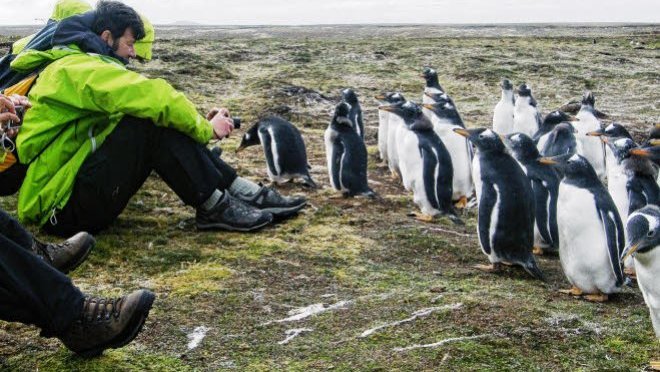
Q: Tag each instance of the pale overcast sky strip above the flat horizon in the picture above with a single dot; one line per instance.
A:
(297, 12)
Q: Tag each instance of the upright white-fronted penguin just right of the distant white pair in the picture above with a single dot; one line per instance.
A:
(590, 147)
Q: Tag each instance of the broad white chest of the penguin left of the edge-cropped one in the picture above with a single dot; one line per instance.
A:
(583, 248)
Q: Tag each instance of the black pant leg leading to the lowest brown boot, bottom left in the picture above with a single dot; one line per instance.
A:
(32, 292)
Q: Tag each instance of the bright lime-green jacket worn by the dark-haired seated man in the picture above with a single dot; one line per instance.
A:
(77, 102)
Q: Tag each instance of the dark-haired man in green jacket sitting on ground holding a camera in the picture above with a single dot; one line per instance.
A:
(96, 131)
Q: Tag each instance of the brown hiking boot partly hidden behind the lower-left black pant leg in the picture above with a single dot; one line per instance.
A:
(65, 256)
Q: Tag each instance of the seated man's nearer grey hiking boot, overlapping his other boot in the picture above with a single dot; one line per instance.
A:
(232, 214)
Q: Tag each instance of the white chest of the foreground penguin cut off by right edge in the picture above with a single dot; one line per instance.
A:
(647, 267)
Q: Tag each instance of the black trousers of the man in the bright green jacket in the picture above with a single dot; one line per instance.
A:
(110, 176)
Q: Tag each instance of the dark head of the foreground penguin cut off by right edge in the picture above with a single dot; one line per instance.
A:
(642, 231)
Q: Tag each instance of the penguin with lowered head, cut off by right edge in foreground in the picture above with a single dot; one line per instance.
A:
(643, 238)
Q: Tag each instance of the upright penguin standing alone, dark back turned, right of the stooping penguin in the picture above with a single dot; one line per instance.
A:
(346, 155)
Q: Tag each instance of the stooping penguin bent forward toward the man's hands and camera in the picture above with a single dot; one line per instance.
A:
(284, 149)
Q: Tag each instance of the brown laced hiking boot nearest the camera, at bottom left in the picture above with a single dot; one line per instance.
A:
(107, 323)
